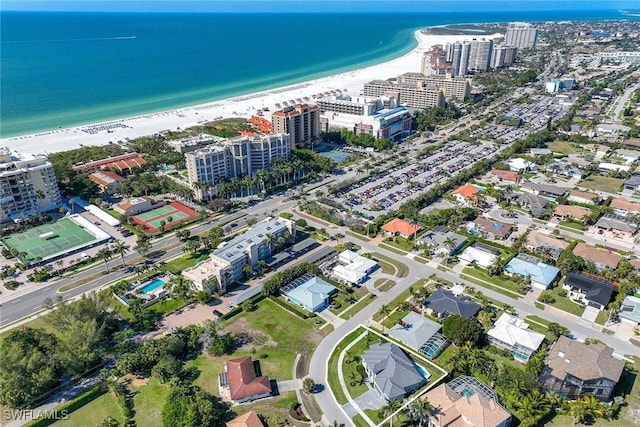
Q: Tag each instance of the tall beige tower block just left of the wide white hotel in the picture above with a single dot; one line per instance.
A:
(301, 122)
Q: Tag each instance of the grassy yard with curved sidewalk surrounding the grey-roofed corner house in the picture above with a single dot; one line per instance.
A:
(347, 375)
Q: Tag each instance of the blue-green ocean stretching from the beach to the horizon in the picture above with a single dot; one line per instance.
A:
(61, 69)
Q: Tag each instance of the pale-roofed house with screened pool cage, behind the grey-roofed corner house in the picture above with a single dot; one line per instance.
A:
(419, 333)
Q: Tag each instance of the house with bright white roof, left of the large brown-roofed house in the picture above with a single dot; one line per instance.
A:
(514, 335)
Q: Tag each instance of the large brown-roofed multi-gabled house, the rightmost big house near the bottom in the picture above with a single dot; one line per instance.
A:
(574, 370)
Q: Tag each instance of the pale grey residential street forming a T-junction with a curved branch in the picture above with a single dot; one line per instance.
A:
(318, 365)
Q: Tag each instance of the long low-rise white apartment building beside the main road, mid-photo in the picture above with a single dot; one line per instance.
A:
(225, 265)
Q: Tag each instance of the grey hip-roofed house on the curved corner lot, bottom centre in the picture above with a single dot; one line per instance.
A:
(392, 373)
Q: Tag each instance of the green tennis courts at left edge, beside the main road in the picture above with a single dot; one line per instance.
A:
(48, 239)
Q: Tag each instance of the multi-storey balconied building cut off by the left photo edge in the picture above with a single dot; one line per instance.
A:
(27, 185)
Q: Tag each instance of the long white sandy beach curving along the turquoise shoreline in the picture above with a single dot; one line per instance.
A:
(243, 106)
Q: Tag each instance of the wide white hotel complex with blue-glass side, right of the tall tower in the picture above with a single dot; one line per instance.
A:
(379, 117)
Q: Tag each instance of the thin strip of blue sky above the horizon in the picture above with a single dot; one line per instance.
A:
(308, 5)
